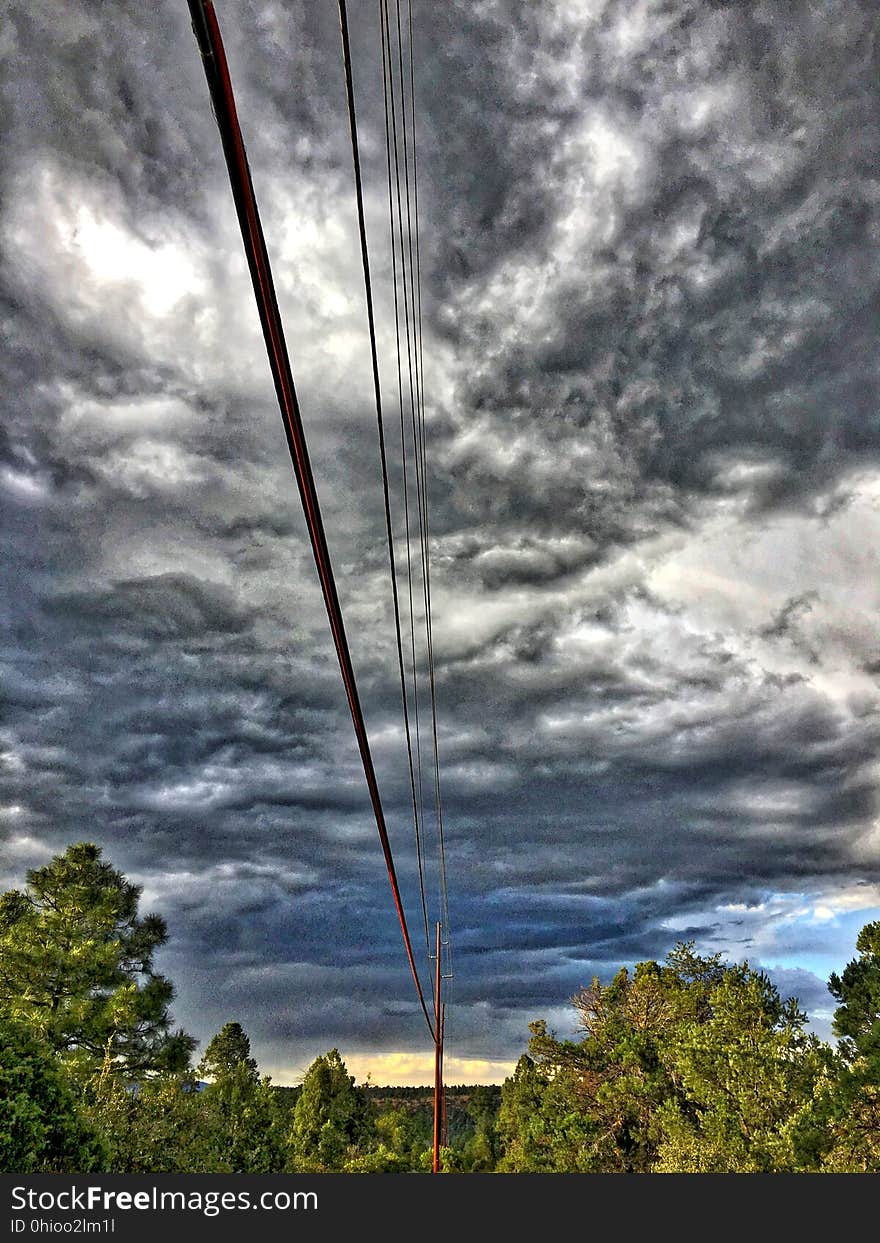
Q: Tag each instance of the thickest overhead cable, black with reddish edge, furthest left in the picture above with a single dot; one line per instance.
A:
(217, 73)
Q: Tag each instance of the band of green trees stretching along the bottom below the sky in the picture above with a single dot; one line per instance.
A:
(693, 1065)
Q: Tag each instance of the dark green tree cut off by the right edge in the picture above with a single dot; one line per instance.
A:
(856, 1103)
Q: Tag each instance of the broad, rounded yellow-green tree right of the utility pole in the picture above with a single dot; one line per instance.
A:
(687, 1066)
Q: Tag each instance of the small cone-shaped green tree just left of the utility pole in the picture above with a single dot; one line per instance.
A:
(332, 1118)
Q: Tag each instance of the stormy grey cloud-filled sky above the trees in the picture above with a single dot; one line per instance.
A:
(651, 270)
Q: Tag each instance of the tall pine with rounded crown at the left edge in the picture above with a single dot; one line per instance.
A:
(76, 966)
